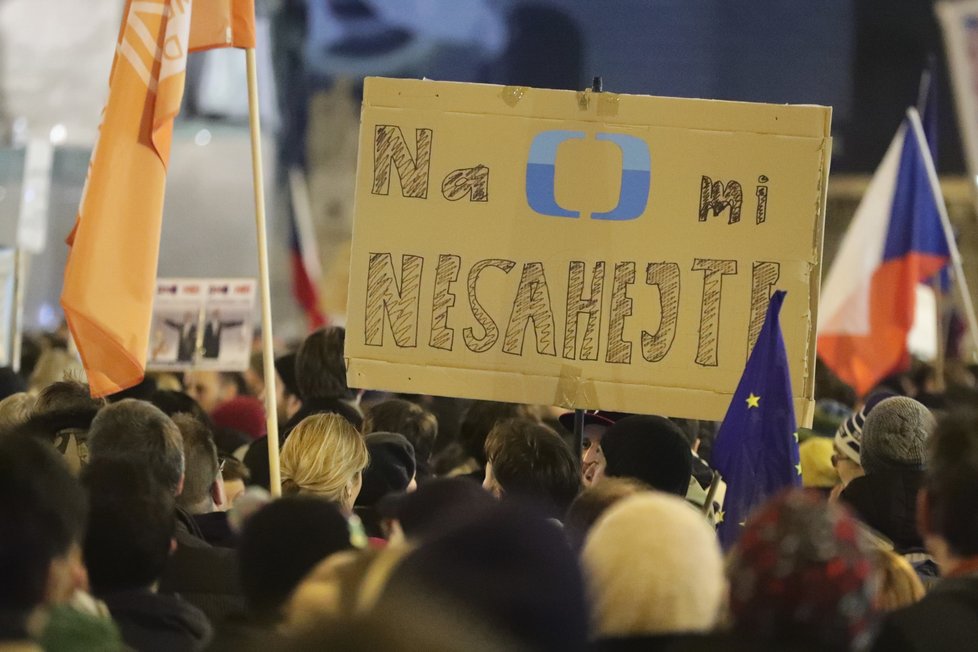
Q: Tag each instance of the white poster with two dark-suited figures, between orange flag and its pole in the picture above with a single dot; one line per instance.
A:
(202, 324)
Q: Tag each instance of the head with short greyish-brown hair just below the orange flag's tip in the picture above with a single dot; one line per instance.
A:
(138, 432)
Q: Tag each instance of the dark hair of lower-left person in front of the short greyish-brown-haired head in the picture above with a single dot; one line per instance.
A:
(130, 526)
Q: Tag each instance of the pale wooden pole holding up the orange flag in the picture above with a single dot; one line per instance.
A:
(268, 352)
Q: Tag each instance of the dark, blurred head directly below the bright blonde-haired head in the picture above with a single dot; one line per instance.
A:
(281, 543)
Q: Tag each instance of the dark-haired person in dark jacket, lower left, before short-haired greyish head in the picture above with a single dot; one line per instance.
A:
(130, 532)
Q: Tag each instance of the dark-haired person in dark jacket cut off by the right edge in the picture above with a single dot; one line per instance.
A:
(947, 617)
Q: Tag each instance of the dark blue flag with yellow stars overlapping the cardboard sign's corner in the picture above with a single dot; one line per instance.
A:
(756, 451)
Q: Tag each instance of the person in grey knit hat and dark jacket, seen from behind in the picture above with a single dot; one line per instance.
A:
(893, 442)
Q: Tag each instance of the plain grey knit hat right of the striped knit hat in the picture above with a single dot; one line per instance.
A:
(895, 434)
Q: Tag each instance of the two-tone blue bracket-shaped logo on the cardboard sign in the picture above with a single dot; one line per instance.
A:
(636, 175)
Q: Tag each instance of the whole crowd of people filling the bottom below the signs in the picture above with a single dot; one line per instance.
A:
(144, 521)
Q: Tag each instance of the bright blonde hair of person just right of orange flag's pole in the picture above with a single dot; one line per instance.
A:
(321, 456)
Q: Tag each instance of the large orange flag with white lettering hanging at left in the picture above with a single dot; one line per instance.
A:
(111, 270)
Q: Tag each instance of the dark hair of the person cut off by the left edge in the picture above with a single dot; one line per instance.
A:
(42, 513)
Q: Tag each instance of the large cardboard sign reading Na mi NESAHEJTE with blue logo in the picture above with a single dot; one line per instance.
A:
(581, 249)
